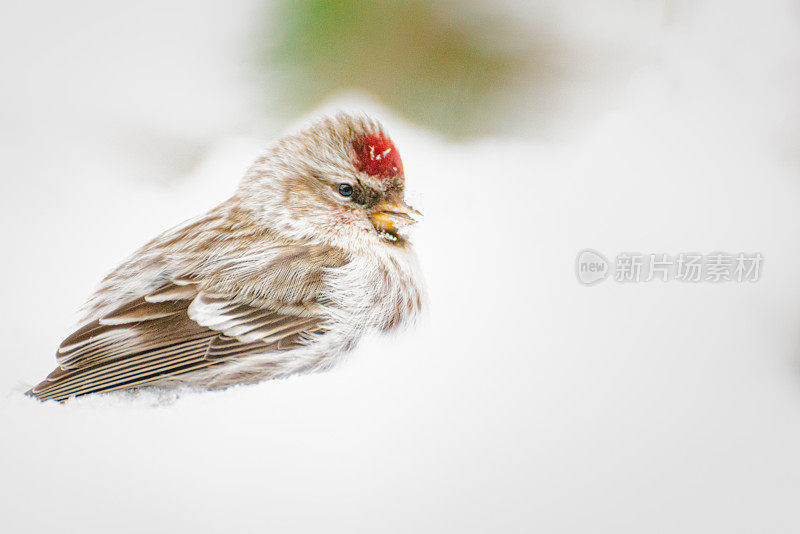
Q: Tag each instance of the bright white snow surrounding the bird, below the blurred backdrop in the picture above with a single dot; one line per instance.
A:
(526, 401)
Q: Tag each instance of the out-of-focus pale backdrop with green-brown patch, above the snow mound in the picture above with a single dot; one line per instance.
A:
(158, 82)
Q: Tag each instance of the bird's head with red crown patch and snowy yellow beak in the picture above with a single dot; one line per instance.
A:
(339, 180)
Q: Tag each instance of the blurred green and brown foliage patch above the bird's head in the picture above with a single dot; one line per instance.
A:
(410, 55)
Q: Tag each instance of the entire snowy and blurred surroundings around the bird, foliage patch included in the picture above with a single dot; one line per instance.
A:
(529, 131)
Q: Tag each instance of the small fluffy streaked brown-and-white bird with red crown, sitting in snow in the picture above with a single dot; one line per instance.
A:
(284, 277)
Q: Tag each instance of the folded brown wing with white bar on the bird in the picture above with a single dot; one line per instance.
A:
(154, 337)
